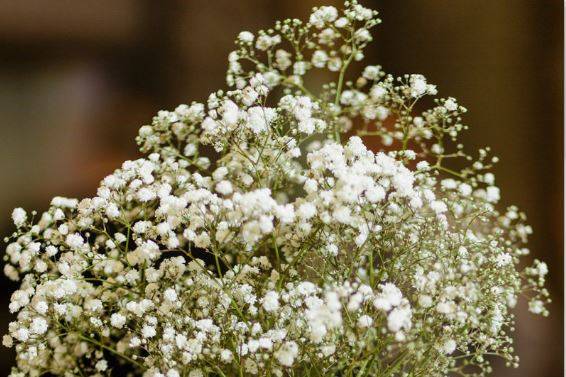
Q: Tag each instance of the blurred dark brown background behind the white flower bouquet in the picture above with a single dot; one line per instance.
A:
(78, 78)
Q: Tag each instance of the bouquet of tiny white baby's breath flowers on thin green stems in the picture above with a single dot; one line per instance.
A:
(257, 239)
